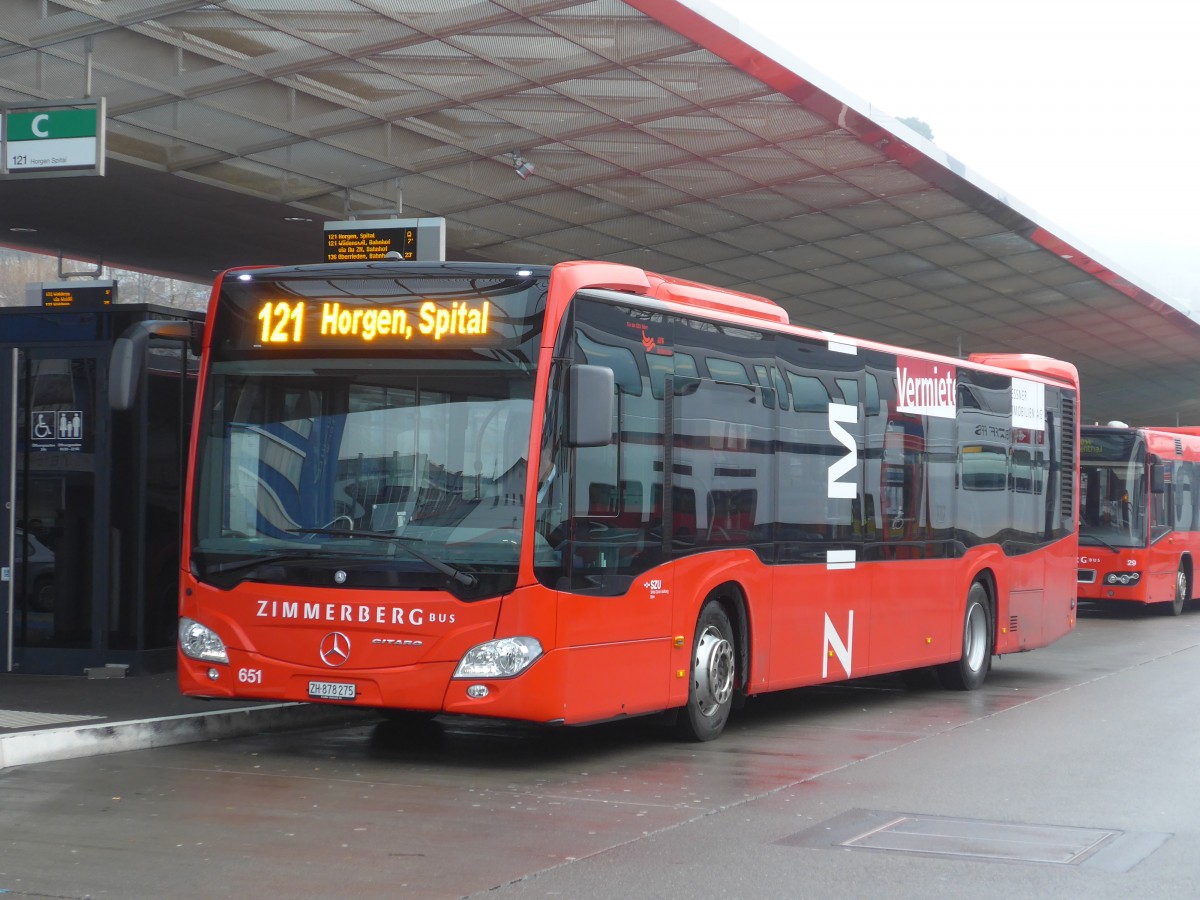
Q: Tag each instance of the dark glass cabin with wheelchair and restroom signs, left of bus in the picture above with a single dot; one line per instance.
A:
(89, 497)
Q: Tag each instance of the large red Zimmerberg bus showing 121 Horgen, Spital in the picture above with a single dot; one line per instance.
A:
(569, 495)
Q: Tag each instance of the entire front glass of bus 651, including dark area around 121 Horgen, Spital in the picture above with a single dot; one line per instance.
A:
(397, 466)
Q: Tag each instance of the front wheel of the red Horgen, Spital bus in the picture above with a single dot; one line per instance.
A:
(713, 676)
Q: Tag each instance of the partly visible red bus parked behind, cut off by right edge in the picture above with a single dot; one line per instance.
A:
(1139, 521)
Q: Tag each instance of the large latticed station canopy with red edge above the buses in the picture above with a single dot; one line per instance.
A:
(661, 134)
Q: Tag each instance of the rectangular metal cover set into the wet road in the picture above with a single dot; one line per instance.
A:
(981, 841)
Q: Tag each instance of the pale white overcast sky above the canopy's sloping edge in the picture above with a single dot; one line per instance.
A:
(1087, 113)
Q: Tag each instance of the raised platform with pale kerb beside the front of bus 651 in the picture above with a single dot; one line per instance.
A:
(50, 718)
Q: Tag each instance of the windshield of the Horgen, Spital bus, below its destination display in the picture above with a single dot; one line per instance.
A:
(351, 466)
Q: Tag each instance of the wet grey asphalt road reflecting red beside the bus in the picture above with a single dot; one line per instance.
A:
(1073, 773)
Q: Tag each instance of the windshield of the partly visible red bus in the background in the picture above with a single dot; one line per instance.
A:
(1113, 490)
